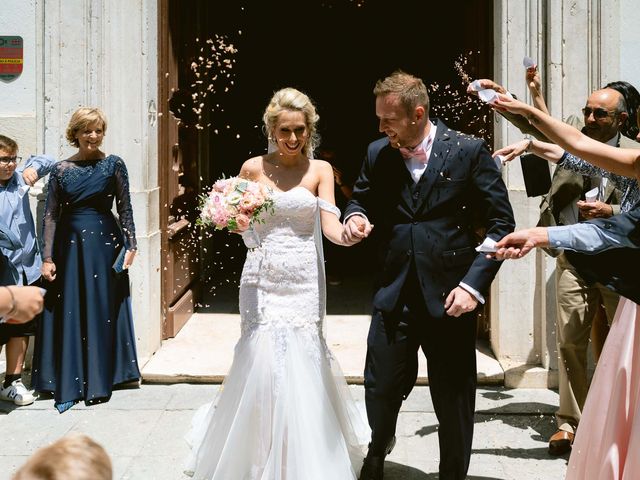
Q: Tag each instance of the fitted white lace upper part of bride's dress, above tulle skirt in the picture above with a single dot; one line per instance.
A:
(282, 285)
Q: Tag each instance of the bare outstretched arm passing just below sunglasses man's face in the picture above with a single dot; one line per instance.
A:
(622, 161)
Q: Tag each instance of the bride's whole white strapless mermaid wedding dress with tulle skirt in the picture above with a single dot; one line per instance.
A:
(284, 411)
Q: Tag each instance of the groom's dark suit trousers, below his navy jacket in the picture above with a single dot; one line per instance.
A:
(392, 368)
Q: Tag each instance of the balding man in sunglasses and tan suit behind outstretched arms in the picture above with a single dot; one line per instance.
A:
(580, 304)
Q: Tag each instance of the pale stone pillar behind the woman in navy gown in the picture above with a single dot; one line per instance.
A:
(104, 53)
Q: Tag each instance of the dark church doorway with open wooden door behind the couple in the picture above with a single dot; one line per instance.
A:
(334, 50)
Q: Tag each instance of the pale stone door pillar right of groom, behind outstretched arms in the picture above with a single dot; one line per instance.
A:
(515, 329)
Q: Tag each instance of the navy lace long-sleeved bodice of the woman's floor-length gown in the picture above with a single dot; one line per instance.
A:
(89, 185)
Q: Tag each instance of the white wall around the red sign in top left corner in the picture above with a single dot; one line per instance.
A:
(18, 97)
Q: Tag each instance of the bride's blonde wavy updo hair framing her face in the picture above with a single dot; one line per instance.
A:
(292, 100)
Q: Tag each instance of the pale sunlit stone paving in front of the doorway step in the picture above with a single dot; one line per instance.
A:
(143, 432)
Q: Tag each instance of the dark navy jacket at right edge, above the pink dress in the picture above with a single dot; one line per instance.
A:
(619, 268)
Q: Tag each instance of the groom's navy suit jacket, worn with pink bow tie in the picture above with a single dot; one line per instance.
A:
(432, 222)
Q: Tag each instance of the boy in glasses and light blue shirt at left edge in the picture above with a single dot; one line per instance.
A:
(15, 215)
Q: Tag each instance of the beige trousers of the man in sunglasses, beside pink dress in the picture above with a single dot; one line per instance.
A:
(577, 306)
